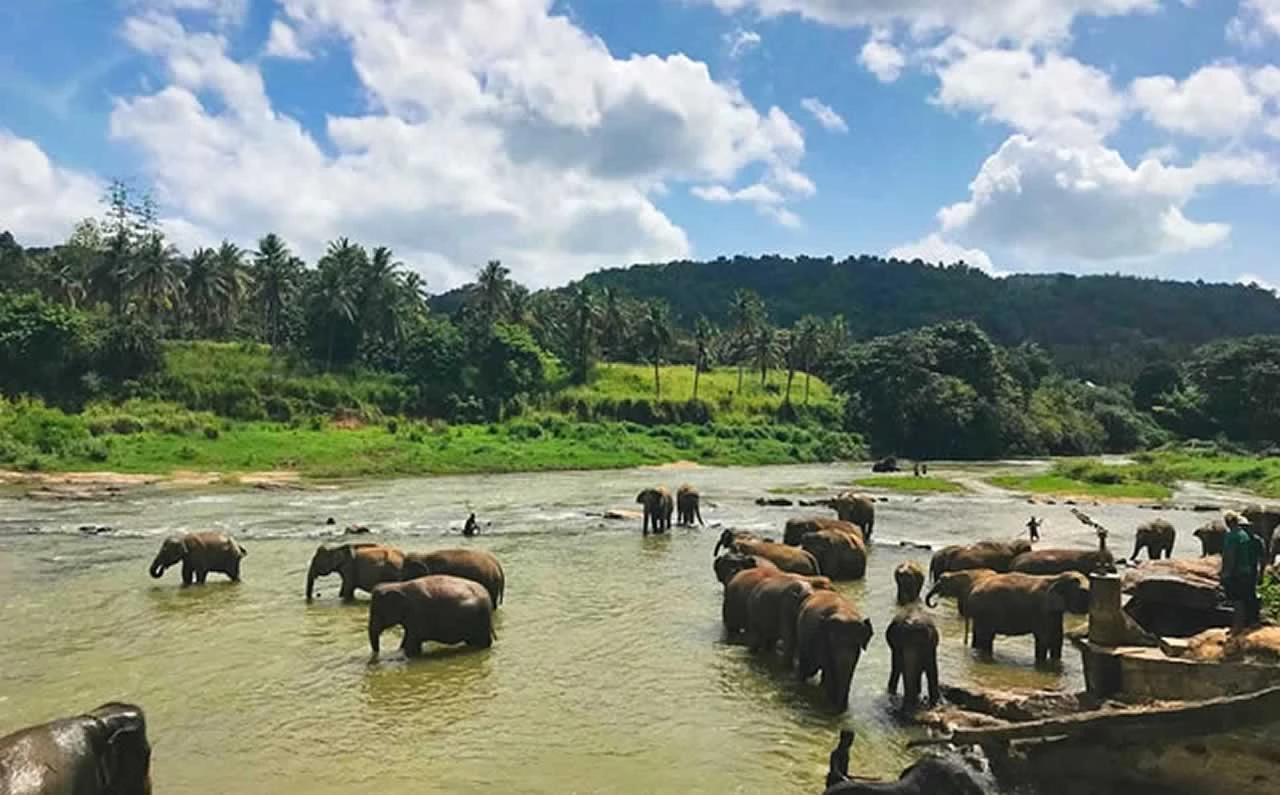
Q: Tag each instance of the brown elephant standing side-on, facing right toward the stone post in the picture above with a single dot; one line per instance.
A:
(1018, 604)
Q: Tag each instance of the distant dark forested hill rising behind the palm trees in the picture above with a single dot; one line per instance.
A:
(1103, 328)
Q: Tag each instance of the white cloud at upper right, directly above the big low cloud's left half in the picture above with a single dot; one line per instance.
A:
(1050, 97)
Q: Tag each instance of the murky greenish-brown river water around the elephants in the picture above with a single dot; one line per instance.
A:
(610, 674)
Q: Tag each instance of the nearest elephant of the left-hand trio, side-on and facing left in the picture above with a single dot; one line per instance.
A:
(437, 607)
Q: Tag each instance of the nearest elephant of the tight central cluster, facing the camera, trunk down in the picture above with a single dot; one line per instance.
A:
(831, 637)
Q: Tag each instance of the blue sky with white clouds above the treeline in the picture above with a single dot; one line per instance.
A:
(564, 136)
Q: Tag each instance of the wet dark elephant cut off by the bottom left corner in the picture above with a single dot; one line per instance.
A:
(103, 752)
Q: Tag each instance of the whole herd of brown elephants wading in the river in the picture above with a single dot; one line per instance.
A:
(779, 596)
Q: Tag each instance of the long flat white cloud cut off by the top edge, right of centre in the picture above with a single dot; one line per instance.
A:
(989, 22)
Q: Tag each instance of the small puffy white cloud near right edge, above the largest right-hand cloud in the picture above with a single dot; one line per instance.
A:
(1215, 102)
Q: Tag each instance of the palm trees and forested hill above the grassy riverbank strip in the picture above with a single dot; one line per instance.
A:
(921, 362)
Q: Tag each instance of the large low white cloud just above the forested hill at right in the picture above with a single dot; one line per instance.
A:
(1086, 203)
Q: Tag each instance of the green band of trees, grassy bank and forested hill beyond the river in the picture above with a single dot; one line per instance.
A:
(120, 353)
